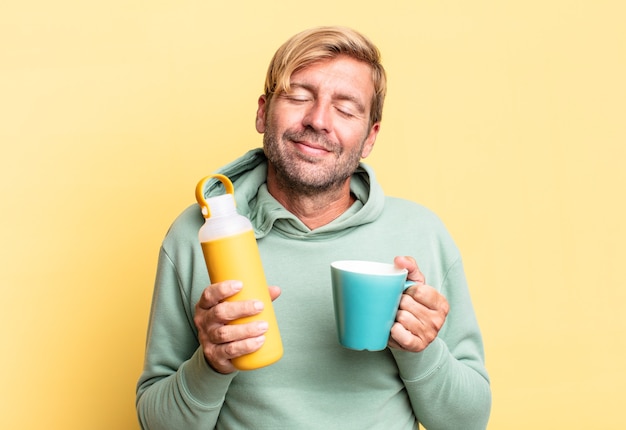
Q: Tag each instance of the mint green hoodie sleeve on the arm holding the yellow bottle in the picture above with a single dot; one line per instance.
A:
(177, 388)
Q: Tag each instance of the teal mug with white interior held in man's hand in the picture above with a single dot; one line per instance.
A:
(366, 296)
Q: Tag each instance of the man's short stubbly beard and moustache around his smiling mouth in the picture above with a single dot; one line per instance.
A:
(308, 174)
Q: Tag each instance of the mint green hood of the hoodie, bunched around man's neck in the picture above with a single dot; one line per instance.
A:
(249, 174)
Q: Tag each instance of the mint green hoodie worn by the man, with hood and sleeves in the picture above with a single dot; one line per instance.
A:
(317, 384)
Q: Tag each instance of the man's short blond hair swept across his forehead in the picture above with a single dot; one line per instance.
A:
(321, 43)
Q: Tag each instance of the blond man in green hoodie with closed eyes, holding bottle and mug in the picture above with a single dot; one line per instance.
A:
(311, 202)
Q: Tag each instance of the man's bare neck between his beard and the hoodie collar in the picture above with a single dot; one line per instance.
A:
(313, 210)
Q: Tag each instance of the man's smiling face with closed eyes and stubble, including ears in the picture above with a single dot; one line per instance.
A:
(315, 134)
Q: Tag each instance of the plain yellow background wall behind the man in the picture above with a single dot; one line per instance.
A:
(506, 118)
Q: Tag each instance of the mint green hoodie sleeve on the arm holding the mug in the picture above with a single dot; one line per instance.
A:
(447, 383)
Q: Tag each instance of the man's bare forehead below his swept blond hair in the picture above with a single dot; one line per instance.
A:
(339, 75)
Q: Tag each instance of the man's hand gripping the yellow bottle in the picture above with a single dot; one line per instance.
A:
(220, 340)
